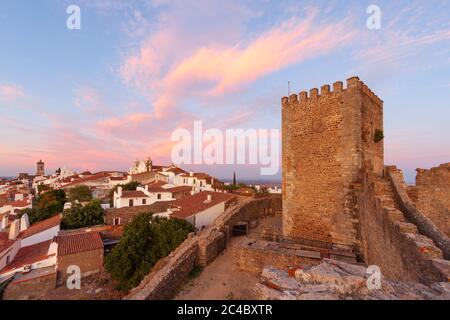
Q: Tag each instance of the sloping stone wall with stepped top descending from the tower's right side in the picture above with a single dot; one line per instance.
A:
(391, 242)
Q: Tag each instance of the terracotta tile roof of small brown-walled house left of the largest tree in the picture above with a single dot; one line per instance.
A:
(78, 242)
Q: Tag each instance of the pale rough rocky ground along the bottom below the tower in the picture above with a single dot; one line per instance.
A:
(335, 280)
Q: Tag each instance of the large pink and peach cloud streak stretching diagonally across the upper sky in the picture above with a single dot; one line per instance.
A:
(218, 68)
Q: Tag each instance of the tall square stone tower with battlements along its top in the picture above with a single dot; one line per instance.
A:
(327, 137)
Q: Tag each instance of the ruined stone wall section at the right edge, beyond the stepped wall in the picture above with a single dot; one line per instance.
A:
(432, 195)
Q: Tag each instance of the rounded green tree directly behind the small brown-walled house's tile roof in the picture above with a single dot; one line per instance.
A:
(83, 216)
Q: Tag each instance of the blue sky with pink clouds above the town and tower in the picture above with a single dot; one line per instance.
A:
(99, 97)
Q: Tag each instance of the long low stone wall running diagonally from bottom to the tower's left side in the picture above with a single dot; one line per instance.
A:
(170, 272)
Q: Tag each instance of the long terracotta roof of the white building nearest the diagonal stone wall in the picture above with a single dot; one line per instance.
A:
(197, 203)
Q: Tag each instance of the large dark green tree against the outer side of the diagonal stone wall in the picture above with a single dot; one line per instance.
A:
(145, 241)
